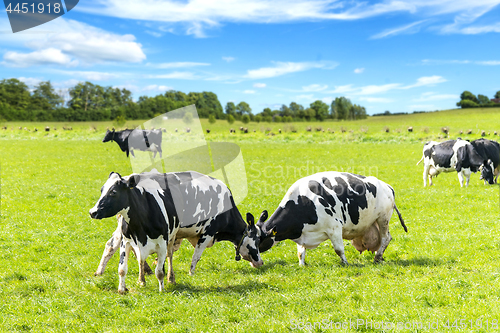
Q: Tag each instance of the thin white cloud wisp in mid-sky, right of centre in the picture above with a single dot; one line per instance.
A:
(282, 68)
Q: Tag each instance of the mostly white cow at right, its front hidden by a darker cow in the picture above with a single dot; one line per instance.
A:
(452, 155)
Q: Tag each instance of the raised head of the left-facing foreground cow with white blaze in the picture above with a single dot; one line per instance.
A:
(114, 197)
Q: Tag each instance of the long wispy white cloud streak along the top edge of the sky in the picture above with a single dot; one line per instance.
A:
(196, 16)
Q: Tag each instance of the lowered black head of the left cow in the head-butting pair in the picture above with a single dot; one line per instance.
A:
(248, 248)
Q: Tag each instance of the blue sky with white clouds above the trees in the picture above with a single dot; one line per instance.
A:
(399, 56)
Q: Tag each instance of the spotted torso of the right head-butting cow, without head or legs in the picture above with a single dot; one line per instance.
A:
(316, 202)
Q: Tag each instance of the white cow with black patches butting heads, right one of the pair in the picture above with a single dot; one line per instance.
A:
(332, 205)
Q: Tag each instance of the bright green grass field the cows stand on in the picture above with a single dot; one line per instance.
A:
(444, 269)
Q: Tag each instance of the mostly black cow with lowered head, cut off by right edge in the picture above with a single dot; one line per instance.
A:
(490, 151)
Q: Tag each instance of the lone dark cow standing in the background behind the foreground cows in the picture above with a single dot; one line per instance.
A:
(128, 140)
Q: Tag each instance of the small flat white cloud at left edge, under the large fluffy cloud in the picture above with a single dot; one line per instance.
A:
(50, 56)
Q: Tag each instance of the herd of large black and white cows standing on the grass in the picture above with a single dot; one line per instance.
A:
(156, 211)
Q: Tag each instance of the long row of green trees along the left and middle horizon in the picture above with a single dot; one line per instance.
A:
(92, 102)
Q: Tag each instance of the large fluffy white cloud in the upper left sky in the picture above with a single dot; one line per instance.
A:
(63, 42)
